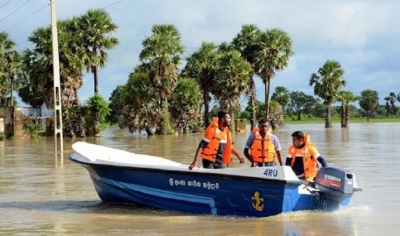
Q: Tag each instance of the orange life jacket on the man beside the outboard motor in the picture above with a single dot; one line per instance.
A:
(310, 165)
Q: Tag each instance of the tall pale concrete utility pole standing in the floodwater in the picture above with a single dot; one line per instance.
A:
(56, 81)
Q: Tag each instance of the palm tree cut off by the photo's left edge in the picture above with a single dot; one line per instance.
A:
(9, 62)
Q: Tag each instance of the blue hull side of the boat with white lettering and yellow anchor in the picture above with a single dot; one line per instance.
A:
(198, 192)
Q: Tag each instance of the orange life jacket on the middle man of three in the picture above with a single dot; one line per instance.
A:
(262, 150)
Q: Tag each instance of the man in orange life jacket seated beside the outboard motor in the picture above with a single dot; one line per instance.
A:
(303, 157)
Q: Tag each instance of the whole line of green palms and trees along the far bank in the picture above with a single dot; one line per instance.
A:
(165, 92)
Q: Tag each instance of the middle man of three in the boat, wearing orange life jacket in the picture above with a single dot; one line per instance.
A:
(262, 146)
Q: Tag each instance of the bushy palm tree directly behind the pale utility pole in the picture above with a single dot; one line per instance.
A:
(38, 63)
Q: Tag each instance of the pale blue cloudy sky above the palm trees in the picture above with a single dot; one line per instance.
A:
(363, 36)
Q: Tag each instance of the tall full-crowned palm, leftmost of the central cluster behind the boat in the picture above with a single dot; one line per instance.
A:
(161, 56)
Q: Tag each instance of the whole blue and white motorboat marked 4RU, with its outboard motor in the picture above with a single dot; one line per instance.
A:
(125, 177)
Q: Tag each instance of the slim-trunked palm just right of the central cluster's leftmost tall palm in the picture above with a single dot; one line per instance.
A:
(201, 66)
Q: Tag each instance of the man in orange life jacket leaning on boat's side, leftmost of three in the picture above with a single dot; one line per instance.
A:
(216, 146)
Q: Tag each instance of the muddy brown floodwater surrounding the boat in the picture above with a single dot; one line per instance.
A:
(42, 193)
